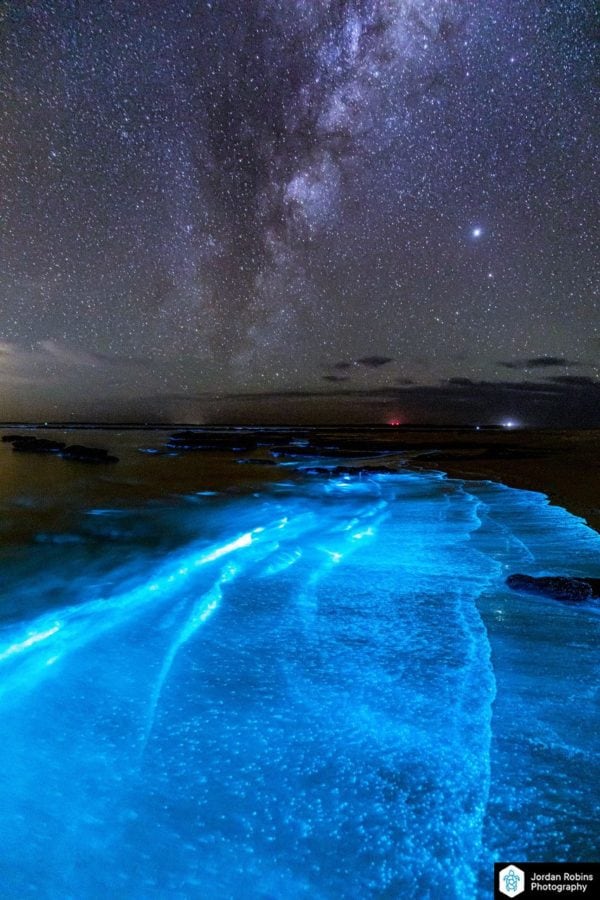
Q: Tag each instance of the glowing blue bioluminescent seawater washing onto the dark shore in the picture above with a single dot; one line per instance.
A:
(296, 688)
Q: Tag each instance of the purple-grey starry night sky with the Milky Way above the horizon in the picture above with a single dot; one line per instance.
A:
(300, 211)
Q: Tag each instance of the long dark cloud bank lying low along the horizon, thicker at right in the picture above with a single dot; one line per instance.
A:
(569, 404)
